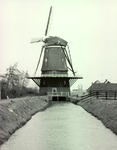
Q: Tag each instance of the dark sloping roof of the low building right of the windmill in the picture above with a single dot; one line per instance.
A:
(103, 87)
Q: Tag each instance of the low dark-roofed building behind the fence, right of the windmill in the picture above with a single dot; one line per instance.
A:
(104, 90)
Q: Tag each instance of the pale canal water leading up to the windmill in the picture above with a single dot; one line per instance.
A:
(64, 126)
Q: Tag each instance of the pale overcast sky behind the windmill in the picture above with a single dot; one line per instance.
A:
(89, 26)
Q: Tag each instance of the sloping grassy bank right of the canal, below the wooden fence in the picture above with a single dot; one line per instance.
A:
(104, 110)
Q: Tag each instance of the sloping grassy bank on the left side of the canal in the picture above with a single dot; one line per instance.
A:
(16, 112)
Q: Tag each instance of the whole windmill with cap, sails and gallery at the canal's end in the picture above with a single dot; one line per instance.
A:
(54, 80)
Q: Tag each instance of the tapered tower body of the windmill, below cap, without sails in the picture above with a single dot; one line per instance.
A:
(54, 72)
